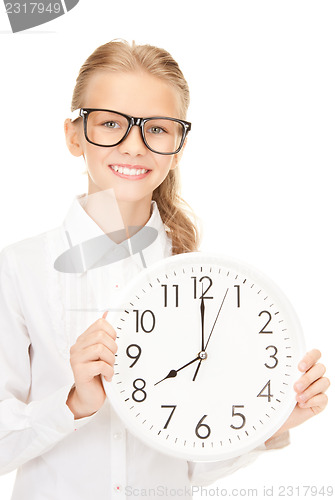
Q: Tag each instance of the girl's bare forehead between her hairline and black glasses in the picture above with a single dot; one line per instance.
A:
(134, 93)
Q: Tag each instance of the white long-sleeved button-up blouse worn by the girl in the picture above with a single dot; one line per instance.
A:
(42, 312)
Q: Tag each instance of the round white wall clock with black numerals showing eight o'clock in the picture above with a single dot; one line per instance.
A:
(207, 356)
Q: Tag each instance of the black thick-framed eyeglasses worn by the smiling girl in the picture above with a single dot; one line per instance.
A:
(108, 128)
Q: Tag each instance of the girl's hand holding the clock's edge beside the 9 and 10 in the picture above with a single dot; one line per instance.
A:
(91, 356)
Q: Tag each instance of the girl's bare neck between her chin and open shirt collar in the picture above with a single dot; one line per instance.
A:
(113, 215)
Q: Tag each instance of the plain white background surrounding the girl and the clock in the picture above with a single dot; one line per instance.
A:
(258, 167)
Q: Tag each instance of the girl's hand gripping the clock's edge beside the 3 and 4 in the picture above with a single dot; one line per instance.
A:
(310, 389)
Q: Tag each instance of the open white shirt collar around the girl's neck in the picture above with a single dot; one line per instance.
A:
(90, 247)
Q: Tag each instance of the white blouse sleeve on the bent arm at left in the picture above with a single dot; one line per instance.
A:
(26, 429)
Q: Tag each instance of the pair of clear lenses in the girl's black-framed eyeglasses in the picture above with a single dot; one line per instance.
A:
(107, 129)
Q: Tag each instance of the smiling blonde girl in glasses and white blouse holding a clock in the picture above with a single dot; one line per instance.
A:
(57, 427)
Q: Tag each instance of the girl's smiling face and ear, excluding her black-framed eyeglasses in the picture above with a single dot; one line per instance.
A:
(137, 94)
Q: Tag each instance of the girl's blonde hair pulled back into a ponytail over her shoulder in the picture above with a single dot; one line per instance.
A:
(119, 56)
